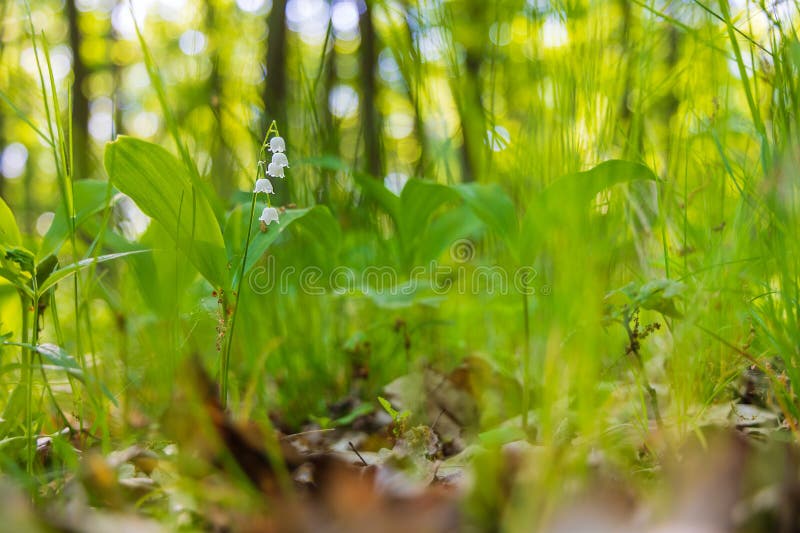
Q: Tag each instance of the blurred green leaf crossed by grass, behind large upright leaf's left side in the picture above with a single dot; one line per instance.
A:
(91, 197)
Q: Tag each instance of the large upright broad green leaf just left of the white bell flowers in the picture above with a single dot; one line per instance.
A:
(162, 188)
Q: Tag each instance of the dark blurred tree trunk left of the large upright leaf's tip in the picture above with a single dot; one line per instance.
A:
(80, 104)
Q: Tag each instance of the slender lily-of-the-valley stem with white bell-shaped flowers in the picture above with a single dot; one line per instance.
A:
(277, 146)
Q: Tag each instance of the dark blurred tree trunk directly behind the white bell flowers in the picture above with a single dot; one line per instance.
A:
(274, 97)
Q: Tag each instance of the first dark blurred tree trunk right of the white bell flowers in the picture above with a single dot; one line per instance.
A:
(370, 117)
